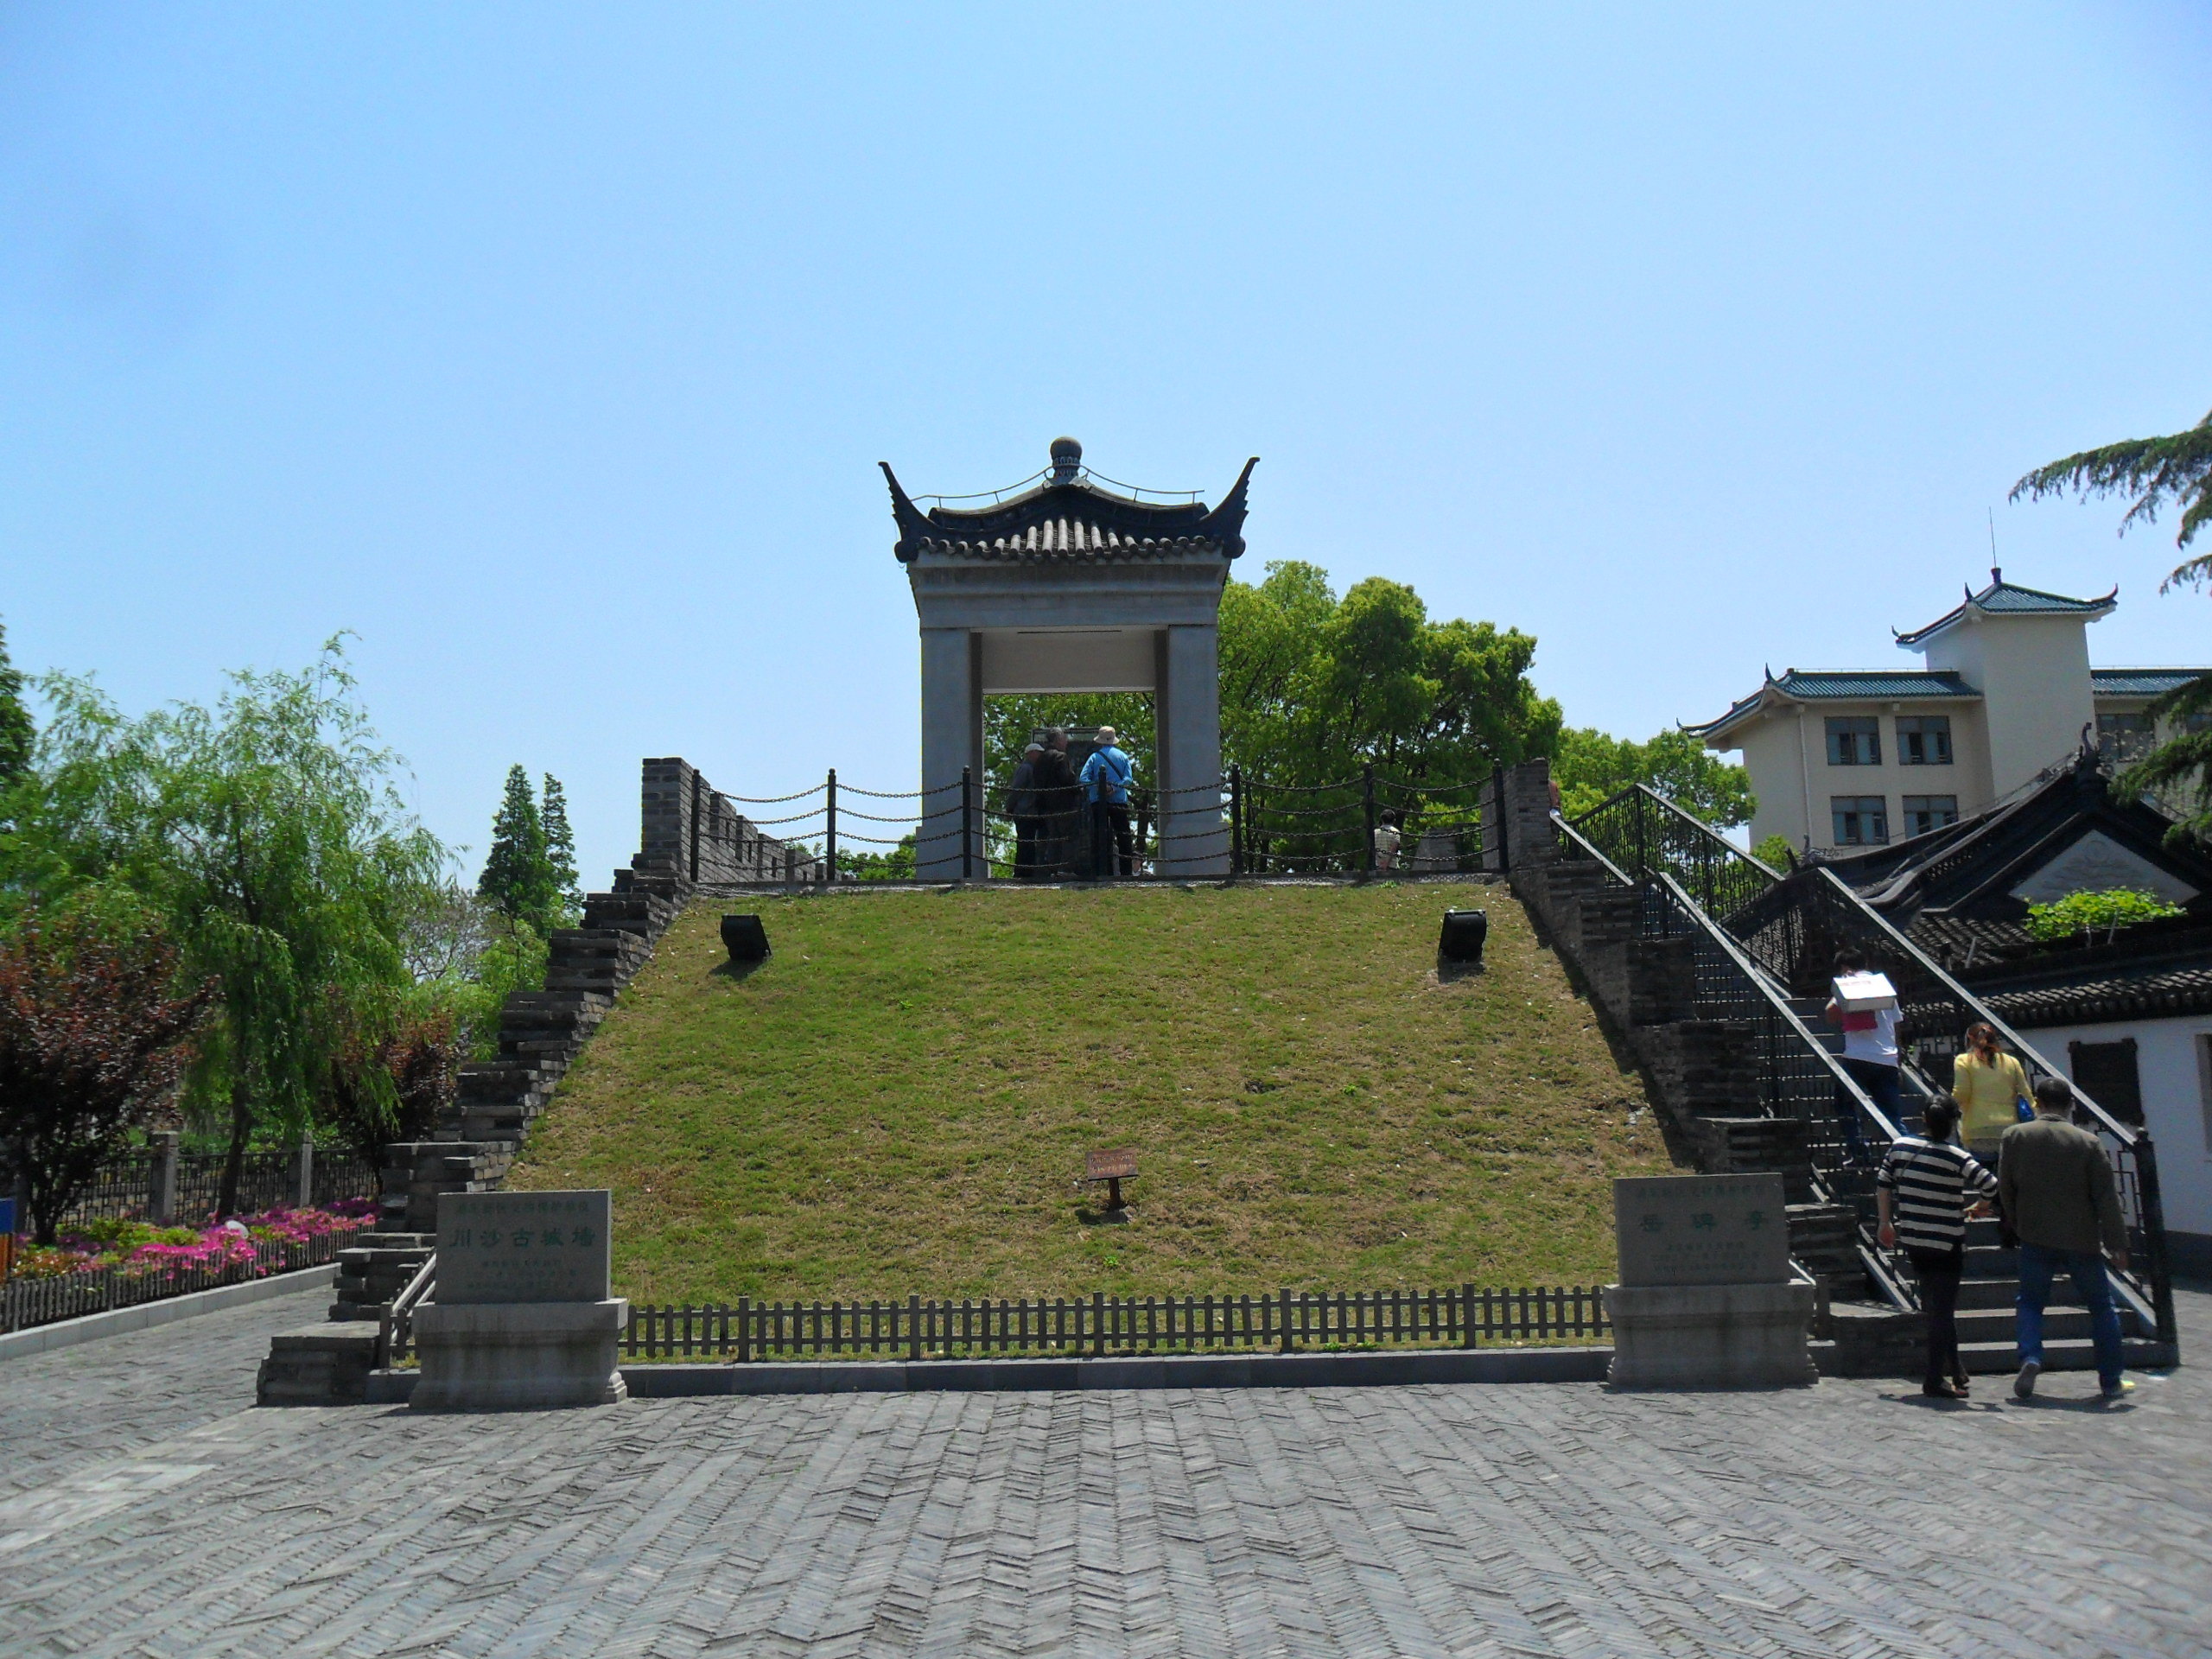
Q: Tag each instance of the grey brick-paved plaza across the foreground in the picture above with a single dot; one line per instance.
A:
(147, 1510)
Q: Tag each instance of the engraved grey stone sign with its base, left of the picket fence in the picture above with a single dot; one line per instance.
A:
(521, 1313)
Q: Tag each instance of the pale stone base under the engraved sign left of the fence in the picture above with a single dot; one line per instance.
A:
(519, 1357)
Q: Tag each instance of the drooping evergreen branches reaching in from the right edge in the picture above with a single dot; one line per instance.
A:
(2160, 474)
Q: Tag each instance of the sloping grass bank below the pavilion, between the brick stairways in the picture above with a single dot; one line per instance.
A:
(899, 1100)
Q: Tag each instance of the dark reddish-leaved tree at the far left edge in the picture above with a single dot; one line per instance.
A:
(92, 1045)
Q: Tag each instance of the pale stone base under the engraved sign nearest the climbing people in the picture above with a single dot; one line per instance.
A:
(1711, 1337)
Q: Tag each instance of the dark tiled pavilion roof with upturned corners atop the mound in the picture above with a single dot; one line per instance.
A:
(1072, 521)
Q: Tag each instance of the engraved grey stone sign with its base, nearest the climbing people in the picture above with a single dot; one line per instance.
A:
(1707, 1295)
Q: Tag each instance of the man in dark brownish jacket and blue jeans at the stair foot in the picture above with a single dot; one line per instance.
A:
(2058, 1196)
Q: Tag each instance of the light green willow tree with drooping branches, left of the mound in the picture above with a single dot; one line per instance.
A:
(273, 842)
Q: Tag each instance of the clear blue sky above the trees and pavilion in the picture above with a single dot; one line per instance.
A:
(554, 348)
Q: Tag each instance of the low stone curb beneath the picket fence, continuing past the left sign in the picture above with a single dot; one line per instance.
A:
(1169, 1373)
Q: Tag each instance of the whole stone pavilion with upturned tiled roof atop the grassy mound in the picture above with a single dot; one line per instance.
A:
(1070, 587)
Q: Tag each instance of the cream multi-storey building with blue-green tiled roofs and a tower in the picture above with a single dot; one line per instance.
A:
(1859, 758)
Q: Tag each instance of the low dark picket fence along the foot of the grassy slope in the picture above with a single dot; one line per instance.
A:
(1072, 1326)
